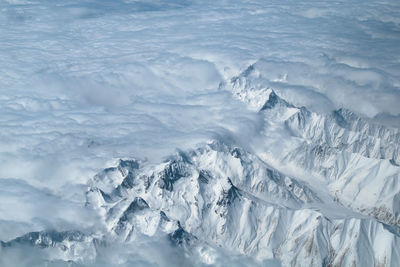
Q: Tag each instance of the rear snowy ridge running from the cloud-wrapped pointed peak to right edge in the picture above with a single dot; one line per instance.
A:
(358, 159)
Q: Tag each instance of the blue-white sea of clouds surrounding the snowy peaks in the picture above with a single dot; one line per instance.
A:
(84, 83)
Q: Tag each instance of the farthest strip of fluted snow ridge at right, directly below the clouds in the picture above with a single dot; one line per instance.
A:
(344, 130)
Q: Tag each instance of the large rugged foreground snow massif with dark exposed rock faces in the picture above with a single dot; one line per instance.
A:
(221, 195)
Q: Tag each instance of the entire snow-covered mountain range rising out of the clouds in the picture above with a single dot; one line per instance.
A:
(312, 189)
